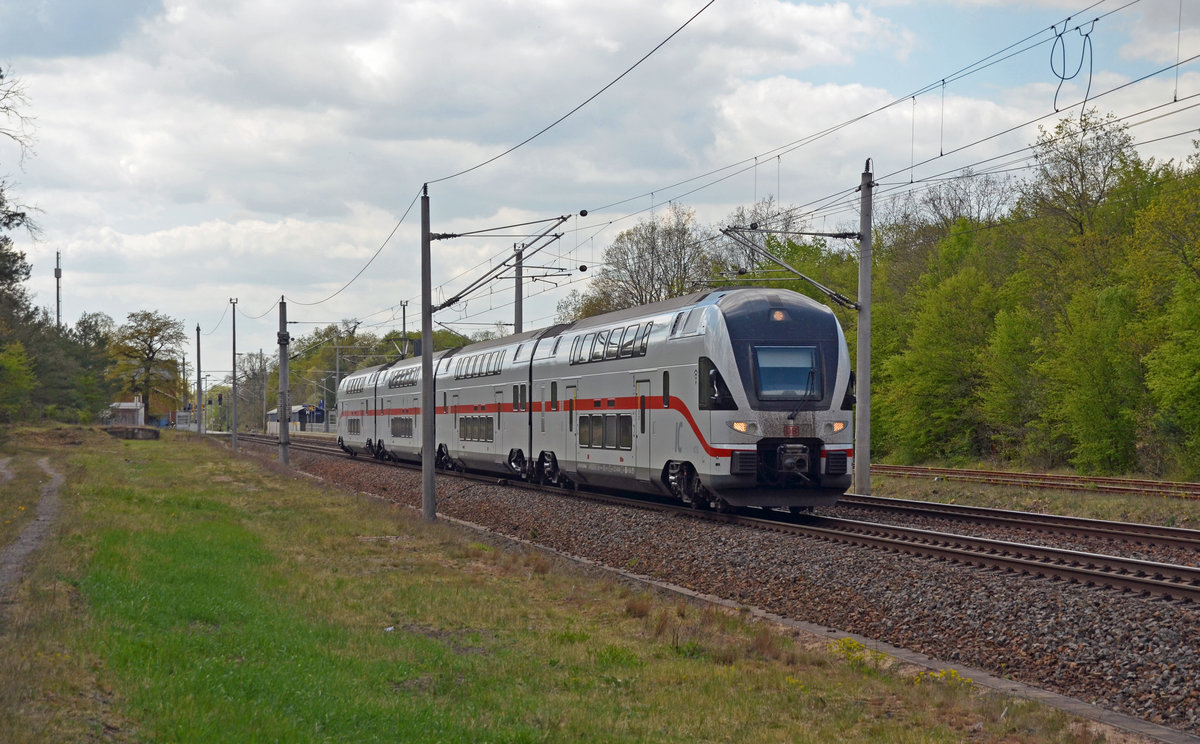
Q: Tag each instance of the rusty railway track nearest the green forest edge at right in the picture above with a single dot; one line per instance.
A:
(1046, 481)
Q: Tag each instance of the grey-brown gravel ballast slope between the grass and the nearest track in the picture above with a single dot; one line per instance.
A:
(1119, 651)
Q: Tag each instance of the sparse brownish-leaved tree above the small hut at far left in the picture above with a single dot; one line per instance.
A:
(147, 349)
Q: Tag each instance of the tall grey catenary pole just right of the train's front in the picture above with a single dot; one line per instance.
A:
(863, 392)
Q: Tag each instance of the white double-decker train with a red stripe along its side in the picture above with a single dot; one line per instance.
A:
(731, 398)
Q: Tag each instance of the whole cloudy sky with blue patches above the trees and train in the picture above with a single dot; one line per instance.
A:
(188, 153)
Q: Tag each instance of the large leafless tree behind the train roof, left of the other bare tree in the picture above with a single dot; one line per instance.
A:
(659, 259)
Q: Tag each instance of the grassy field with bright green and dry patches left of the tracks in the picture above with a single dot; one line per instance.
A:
(190, 596)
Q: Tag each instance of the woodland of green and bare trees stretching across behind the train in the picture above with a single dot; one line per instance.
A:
(1046, 320)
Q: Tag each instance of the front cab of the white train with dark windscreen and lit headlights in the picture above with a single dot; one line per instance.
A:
(776, 400)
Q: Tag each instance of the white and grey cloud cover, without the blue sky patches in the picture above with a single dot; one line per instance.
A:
(255, 148)
